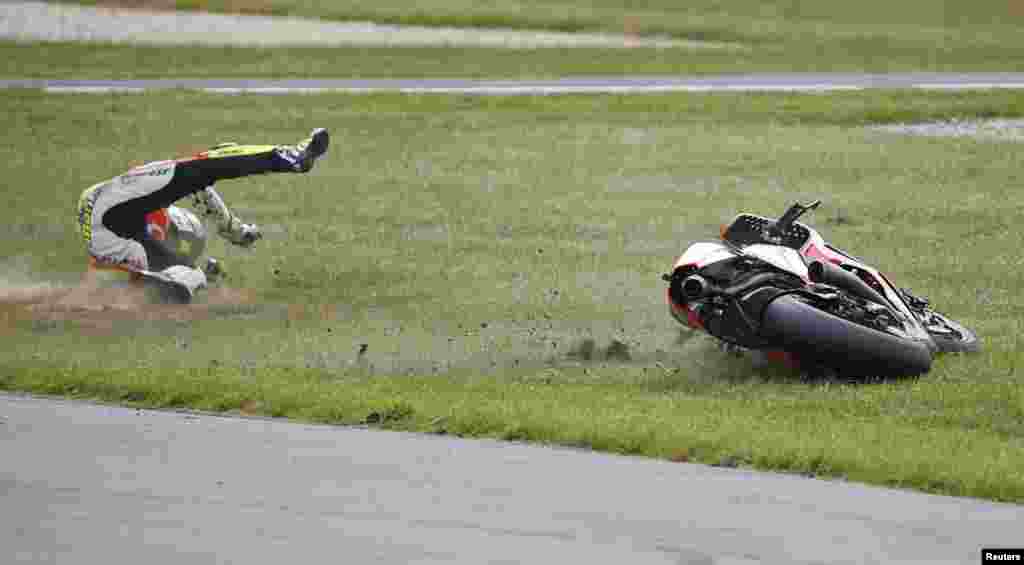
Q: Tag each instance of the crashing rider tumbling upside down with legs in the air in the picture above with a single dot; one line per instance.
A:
(124, 221)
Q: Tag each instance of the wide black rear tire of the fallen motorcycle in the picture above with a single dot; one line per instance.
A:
(851, 350)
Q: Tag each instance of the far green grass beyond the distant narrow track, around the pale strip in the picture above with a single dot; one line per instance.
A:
(780, 35)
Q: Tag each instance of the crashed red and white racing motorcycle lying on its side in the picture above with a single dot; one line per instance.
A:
(778, 287)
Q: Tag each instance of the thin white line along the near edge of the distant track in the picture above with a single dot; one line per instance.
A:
(546, 90)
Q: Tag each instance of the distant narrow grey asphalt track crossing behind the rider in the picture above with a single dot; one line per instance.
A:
(804, 82)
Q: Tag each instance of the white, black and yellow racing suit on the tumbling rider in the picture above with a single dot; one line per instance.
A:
(112, 214)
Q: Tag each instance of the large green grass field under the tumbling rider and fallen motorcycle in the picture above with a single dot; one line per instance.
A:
(478, 245)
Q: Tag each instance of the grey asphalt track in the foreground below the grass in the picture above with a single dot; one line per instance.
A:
(86, 484)
